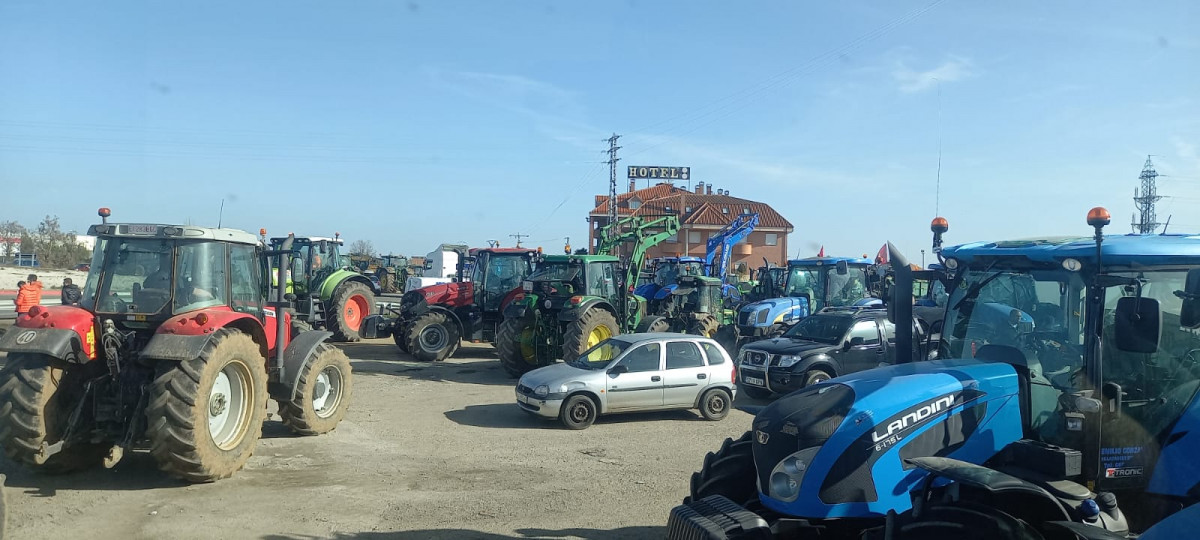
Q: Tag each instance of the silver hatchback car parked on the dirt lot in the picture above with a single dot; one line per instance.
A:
(633, 373)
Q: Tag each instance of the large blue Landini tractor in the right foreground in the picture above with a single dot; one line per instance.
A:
(1063, 405)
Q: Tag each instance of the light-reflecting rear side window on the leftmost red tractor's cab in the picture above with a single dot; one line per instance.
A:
(201, 278)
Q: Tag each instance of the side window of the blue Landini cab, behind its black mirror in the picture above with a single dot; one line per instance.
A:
(1157, 387)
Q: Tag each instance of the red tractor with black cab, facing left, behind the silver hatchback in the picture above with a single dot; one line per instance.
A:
(433, 321)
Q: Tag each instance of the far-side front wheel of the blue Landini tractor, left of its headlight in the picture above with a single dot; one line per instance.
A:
(730, 473)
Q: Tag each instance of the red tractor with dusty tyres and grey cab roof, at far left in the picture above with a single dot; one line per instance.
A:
(177, 346)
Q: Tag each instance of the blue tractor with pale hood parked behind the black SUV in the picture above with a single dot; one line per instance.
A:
(812, 285)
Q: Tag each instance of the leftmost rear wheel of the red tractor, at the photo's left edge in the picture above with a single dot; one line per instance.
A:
(37, 403)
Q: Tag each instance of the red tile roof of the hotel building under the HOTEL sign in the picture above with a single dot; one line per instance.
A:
(706, 209)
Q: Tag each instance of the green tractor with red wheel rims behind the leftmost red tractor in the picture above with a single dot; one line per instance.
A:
(328, 296)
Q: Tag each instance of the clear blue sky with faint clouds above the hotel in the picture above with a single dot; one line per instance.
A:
(410, 124)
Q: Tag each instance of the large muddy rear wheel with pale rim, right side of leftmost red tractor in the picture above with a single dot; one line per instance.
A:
(206, 415)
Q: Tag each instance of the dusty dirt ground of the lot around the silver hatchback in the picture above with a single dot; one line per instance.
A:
(428, 452)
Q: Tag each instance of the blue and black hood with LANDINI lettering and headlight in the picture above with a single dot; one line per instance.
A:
(837, 449)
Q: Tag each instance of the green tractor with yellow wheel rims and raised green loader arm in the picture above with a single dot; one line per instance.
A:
(574, 302)
